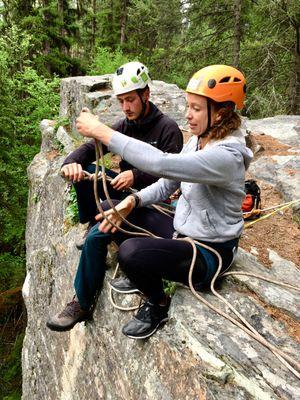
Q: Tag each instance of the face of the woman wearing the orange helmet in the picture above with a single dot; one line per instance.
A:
(197, 113)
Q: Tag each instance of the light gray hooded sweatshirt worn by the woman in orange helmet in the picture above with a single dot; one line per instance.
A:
(211, 180)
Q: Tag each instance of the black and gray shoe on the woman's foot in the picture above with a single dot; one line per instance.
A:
(147, 320)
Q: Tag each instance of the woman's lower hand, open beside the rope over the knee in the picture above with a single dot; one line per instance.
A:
(124, 208)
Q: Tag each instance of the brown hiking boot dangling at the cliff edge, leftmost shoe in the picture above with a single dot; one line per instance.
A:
(65, 320)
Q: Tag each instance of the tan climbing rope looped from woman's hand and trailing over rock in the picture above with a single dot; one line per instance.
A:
(288, 361)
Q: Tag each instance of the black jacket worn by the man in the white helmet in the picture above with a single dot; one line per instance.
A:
(156, 129)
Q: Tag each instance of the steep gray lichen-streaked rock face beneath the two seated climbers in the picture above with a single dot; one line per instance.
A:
(197, 355)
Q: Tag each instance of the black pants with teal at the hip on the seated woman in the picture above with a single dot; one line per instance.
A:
(147, 261)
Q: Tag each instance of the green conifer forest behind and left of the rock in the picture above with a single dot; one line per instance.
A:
(45, 40)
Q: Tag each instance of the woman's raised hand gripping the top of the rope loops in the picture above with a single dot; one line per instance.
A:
(89, 125)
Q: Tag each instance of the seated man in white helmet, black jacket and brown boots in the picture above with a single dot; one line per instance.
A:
(144, 122)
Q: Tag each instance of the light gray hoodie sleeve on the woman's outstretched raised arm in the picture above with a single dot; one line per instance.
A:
(215, 166)
